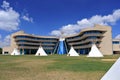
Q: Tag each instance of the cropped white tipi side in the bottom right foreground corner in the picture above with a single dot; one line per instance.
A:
(114, 72)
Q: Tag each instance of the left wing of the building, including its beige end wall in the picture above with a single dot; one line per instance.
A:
(28, 44)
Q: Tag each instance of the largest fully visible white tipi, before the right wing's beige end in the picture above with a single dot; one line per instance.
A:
(94, 52)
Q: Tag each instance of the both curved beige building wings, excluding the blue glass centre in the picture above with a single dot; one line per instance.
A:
(28, 44)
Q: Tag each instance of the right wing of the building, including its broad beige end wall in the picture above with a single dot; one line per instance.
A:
(101, 35)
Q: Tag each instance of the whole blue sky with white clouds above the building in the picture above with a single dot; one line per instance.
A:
(50, 17)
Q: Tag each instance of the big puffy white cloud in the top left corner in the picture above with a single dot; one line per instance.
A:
(9, 18)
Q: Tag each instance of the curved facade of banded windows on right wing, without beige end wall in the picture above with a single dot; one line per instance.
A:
(83, 41)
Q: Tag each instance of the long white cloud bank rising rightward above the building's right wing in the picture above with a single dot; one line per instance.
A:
(69, 29)
